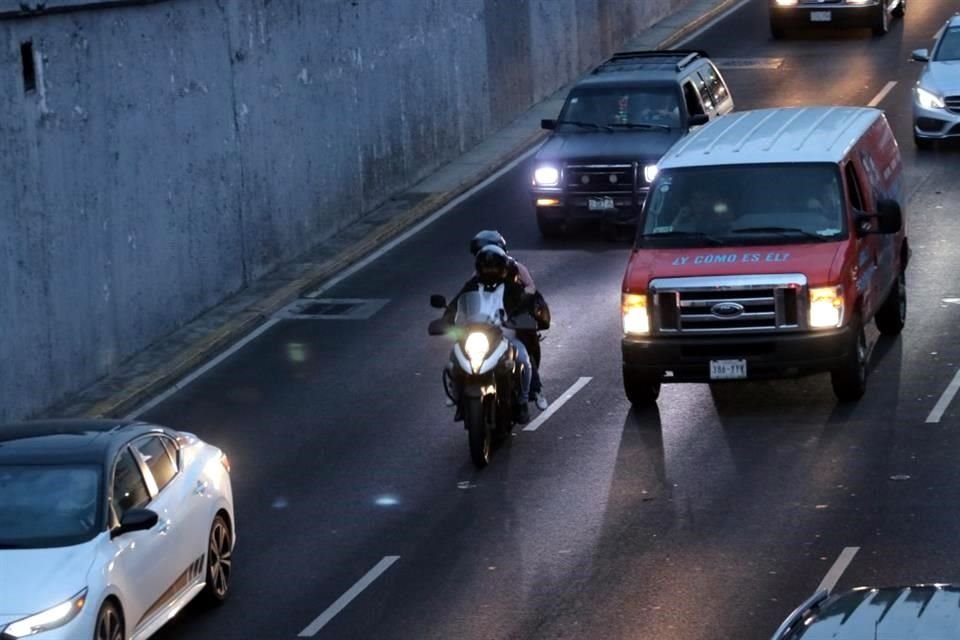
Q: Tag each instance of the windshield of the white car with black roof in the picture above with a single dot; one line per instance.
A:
(48, 506)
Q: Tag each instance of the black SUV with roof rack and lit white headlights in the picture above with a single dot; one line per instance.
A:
(614, 127)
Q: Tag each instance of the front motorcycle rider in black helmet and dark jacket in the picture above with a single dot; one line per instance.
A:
(492, 270)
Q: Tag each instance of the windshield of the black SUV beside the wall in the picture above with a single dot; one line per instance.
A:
(639, 107)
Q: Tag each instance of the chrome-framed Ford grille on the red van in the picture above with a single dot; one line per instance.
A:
(729, 304)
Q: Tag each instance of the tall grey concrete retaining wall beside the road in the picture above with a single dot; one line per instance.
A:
(173, 151)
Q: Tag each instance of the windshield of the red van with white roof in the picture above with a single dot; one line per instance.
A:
(744, 204)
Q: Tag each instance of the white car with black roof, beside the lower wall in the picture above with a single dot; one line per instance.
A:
(109, 528)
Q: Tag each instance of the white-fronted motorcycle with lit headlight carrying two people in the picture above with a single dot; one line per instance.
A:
(483, 367)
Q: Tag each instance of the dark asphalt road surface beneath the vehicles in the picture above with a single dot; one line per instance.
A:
(709, 517)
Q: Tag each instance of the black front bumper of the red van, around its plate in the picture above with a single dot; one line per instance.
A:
(687, 358)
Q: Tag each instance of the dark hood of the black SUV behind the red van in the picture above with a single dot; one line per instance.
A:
(644, 146)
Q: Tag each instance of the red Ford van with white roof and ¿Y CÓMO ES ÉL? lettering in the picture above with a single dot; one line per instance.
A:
(769, 240)
